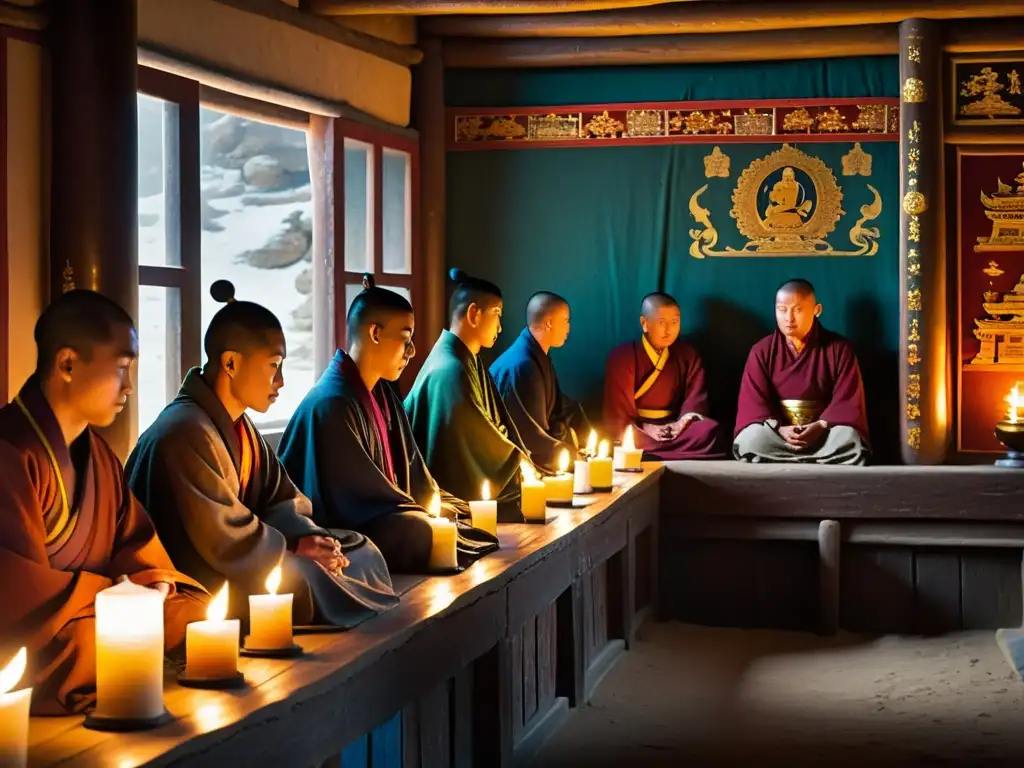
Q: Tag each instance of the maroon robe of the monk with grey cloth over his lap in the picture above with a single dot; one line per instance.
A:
(826, 371)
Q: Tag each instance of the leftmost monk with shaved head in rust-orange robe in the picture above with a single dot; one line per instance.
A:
(72, 527)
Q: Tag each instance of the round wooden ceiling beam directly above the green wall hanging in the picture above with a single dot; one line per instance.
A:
(755, 47)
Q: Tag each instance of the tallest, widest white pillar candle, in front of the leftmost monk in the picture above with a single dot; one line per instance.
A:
(130, 653)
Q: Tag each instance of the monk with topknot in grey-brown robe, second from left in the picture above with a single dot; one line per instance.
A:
(222, 501)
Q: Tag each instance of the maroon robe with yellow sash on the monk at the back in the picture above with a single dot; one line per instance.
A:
(678, 390)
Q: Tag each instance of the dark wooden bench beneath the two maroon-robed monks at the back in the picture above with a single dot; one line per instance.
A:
(870, 549)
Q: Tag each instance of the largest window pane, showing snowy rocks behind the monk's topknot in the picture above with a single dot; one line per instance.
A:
(258, 233)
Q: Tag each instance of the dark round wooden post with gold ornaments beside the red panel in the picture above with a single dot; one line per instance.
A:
(925, 390)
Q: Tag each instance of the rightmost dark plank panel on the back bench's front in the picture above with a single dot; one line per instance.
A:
(991, 590)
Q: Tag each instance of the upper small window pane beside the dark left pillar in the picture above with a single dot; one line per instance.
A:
(158, 183)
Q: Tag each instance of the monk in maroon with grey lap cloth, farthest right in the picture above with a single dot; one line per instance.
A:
(801, 399)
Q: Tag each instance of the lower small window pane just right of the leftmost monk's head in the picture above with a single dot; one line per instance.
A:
(159, 358)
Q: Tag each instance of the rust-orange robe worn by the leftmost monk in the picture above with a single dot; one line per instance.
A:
(56, 558)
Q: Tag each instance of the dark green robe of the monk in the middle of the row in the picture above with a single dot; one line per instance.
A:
(463, 429)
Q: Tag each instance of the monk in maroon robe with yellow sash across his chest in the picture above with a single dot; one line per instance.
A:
(657, 385)
